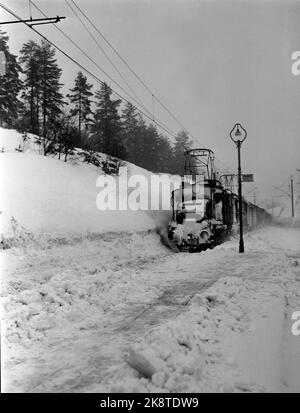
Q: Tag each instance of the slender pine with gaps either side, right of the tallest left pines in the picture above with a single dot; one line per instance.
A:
(80, 97)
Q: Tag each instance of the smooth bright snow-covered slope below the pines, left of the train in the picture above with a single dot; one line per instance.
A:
(47, 195)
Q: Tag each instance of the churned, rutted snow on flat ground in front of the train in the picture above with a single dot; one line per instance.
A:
(125, 314)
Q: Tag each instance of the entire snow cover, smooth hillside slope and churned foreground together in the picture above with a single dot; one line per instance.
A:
(92, 301)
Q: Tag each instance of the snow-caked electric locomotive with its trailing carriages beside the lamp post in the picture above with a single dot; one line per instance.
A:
(205, 210)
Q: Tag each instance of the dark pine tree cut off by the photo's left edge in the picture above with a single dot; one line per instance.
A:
(10, 84)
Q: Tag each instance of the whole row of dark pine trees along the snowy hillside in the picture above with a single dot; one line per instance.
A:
(31, 101)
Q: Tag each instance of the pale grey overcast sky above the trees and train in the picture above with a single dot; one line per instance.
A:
(213, 63)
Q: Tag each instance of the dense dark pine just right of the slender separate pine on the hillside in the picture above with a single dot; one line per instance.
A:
(107, 127)
